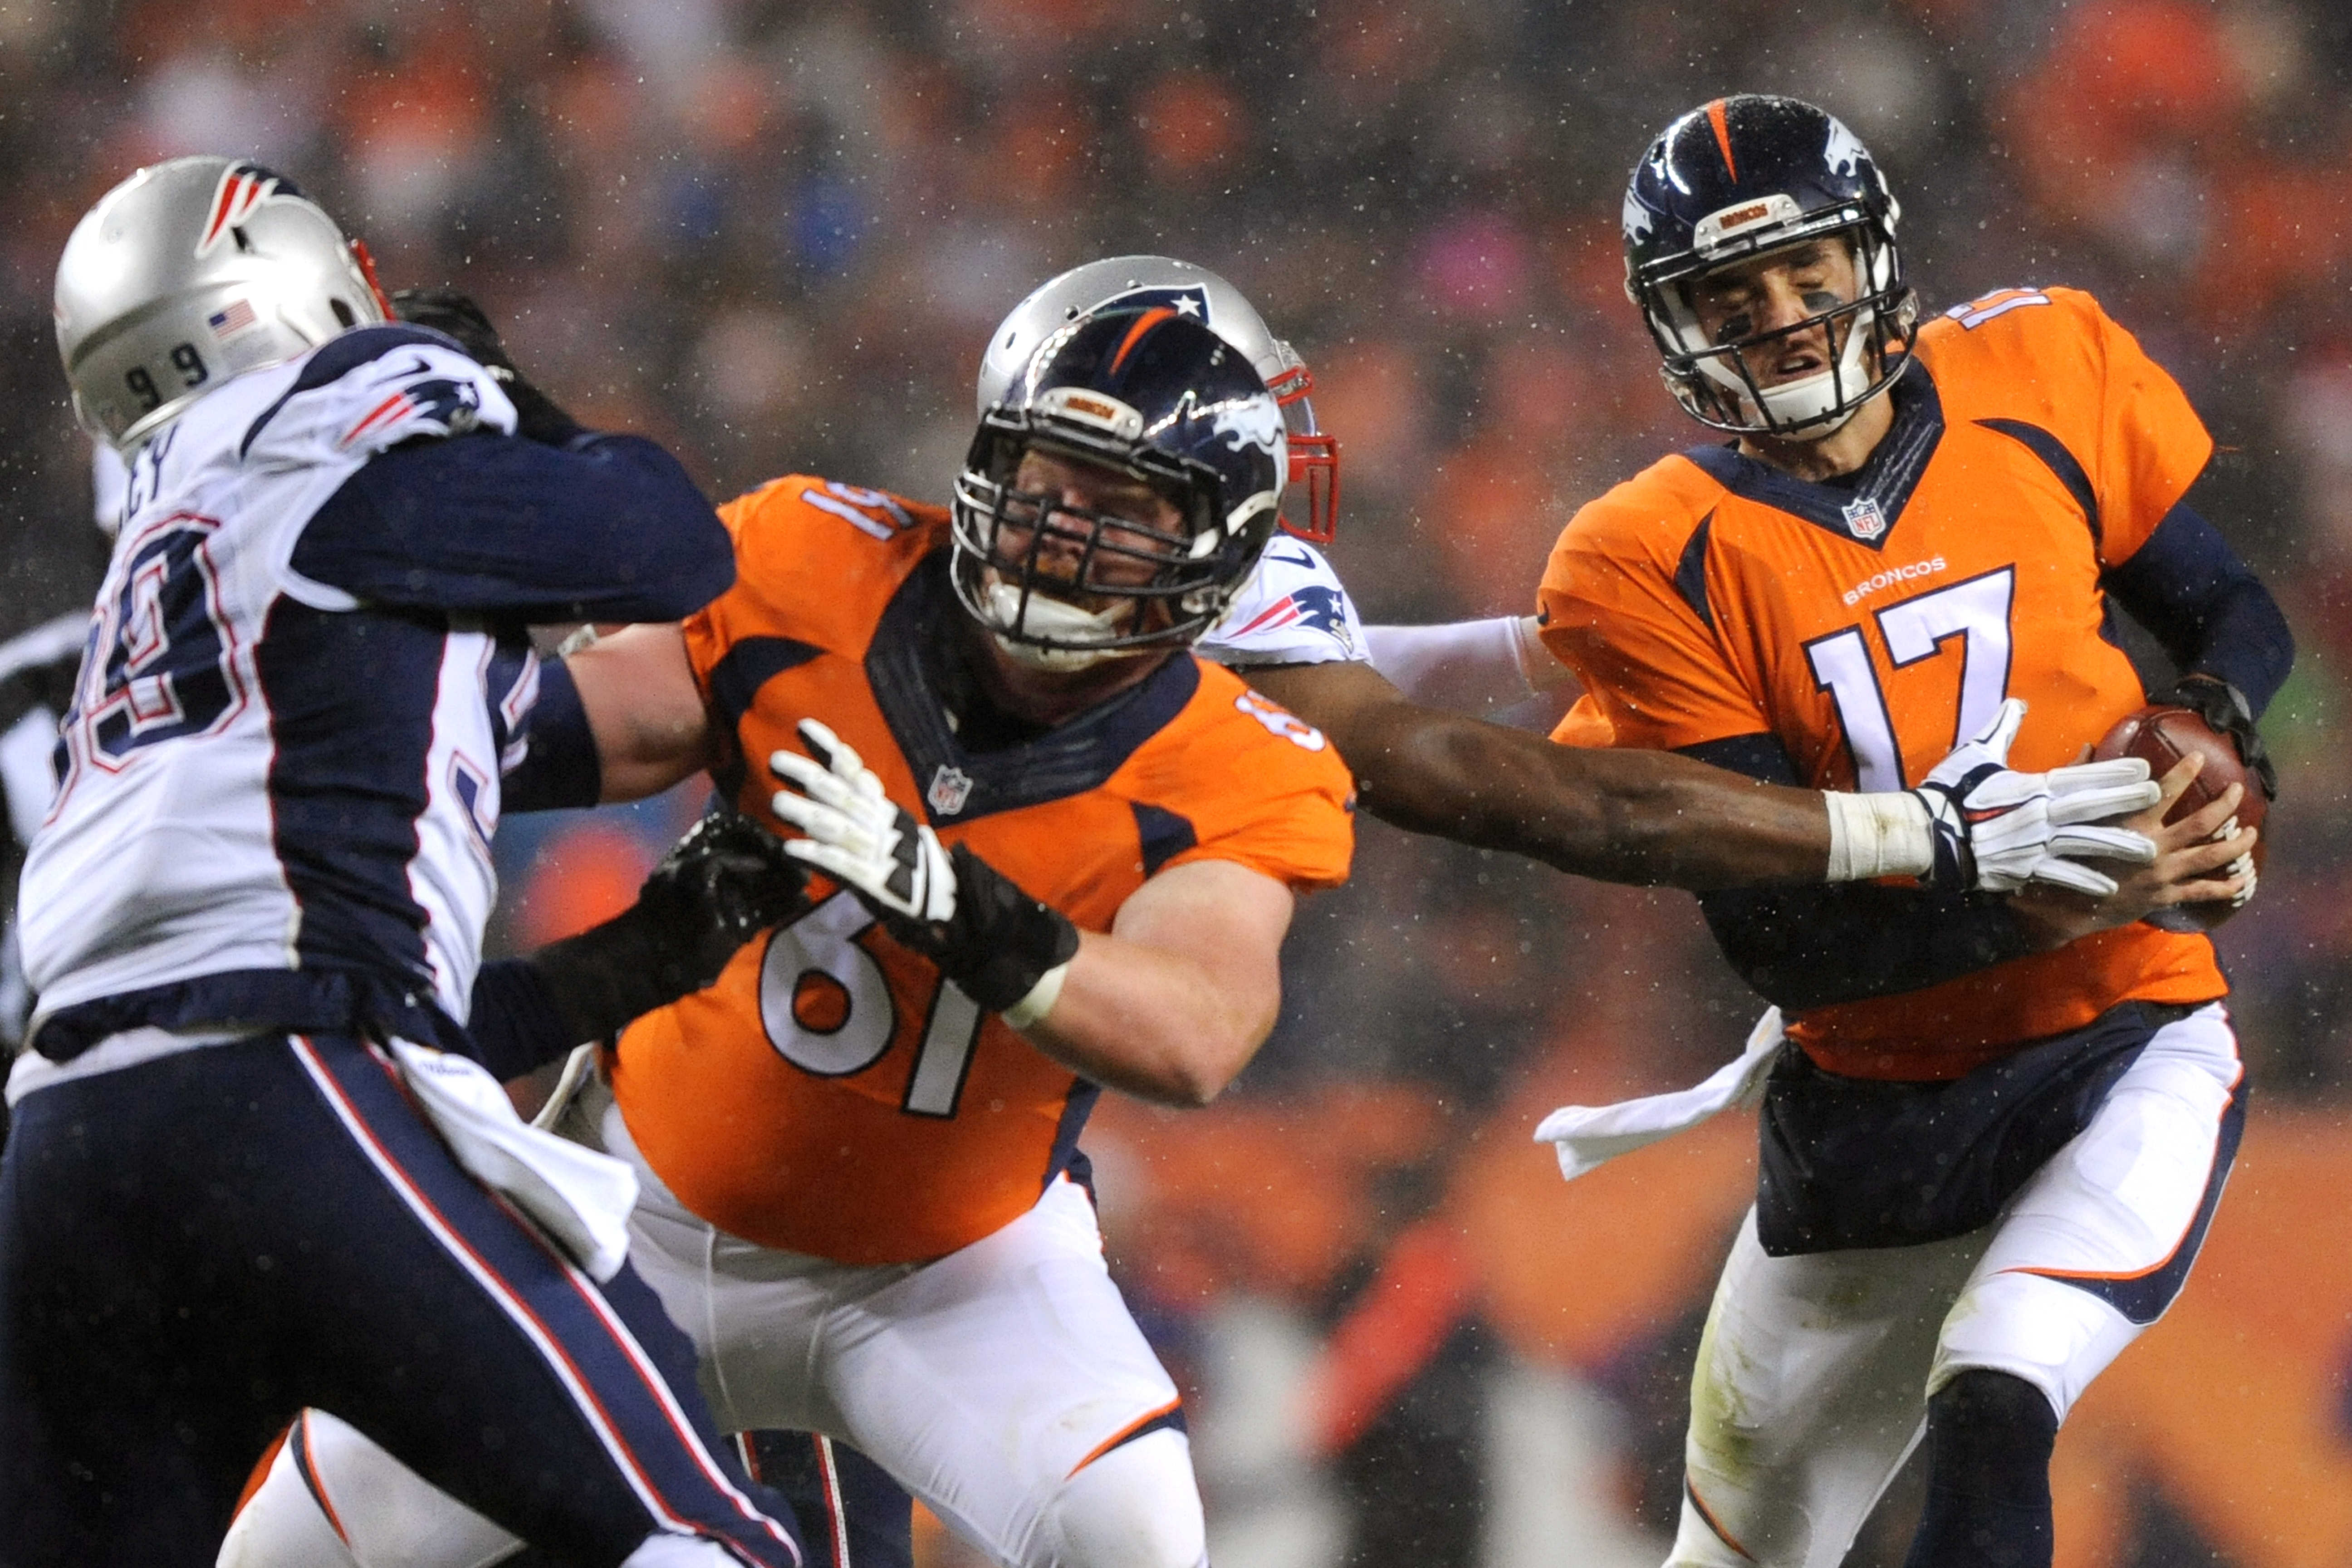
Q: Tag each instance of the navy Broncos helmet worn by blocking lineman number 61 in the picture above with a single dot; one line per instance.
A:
(1154, 396)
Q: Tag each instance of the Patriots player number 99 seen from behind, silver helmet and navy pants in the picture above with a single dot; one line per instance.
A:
(258, 906)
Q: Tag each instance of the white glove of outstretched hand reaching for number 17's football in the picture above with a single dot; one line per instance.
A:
(1996, 831)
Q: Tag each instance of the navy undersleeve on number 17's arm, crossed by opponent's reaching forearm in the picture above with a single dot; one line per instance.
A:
(1817, 946)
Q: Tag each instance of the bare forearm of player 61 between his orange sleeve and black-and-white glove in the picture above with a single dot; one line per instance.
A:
(1156, 1026)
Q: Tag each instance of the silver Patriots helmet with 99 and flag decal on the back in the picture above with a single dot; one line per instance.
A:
(189, 274)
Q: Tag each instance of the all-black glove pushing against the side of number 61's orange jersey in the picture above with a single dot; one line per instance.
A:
(716, 890)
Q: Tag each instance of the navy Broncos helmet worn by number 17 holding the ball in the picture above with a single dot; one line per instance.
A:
(1749, 175)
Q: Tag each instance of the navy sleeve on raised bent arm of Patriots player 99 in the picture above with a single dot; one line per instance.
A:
(610, 530)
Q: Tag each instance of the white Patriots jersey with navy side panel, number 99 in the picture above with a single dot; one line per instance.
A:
(218, 808)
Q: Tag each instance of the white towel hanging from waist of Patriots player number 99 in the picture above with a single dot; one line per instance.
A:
(577, 1195)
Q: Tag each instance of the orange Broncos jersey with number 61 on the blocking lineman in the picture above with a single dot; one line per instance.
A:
(834, 1094)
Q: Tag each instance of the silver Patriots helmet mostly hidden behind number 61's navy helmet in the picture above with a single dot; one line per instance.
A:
(1140, 283)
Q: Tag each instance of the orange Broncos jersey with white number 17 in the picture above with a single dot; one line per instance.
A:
(1873, 626)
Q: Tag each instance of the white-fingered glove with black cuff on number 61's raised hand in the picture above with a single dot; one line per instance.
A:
(947, 904)
